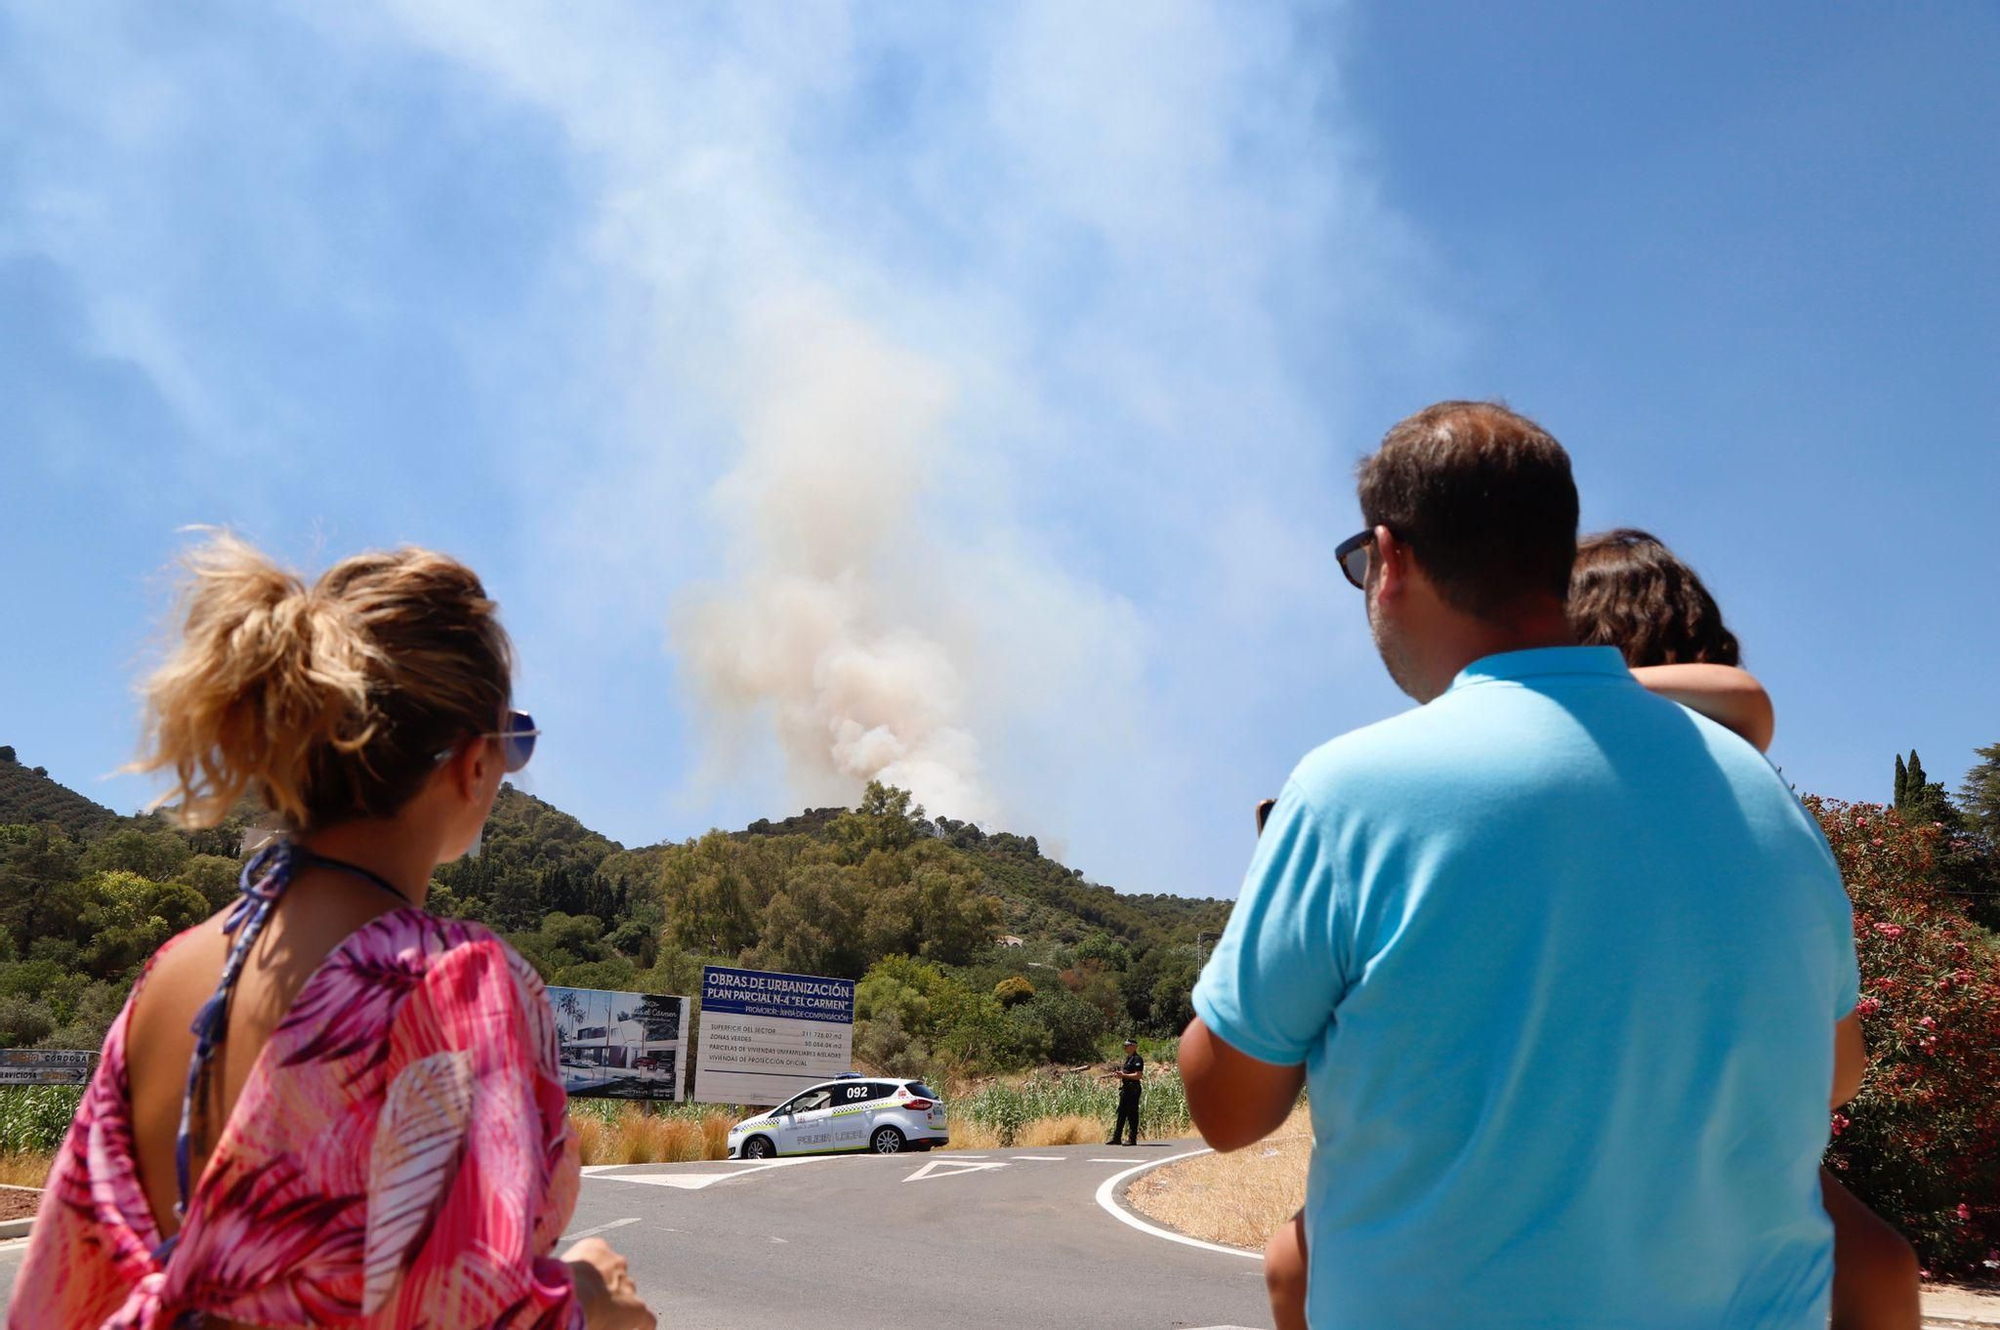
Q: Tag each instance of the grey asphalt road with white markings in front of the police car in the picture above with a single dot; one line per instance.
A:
(1001, 1239)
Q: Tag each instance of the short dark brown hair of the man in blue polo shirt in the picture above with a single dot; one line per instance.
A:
(1485, 501)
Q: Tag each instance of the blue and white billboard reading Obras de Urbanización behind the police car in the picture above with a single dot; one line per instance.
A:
(765, 1035)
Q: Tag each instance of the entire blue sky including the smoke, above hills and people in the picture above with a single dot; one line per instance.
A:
(975, 395)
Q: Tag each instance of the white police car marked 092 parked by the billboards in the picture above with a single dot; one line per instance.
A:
(853, 1113)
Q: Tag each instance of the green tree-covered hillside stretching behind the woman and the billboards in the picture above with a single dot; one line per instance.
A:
(89, 895)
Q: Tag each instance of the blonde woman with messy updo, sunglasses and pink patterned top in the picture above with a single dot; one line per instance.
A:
(327, 1107)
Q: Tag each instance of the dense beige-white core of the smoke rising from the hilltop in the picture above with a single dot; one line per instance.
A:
(839, 437)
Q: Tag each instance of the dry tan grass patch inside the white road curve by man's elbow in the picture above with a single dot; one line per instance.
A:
(1235, 1199)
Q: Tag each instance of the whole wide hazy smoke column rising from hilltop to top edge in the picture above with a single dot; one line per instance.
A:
(1003, 345)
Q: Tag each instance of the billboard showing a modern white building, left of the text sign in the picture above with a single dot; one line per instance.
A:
(621, 1045)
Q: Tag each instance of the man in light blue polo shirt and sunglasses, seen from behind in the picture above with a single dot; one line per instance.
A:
(1563, 963)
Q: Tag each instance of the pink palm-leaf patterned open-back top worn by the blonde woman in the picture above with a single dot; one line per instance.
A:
(399, 1157)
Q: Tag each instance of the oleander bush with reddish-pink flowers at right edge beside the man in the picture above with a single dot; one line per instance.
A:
(1921, 1143)
